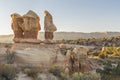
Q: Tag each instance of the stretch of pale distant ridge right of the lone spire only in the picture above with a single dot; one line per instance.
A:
(77, 35)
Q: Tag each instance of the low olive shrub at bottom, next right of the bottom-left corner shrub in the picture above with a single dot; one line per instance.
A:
(31, 71)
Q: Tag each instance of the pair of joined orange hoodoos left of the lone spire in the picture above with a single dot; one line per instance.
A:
(26, 26)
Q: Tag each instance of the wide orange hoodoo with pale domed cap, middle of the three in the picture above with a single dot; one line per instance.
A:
(31, 25)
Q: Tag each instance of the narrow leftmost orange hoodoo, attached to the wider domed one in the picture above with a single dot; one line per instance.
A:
(16, 25)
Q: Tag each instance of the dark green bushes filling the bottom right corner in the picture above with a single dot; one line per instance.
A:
(110, 71)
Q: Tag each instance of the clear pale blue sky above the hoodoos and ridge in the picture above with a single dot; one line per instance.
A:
(68, 15)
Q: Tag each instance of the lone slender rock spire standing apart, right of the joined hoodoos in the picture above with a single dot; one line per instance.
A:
(49, 26)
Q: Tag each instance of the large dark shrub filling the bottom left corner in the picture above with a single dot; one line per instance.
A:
(8, 72)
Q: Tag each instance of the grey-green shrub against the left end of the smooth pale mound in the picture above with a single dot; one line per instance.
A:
(9, 57)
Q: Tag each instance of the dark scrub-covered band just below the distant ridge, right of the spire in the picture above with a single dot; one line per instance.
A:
(94, 42)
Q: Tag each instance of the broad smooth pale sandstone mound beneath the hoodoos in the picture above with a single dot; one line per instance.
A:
(37, 55)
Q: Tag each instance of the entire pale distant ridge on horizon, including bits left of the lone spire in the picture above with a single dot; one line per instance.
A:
(67, 36)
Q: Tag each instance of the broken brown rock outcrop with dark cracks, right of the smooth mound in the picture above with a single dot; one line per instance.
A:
(77, 60)
